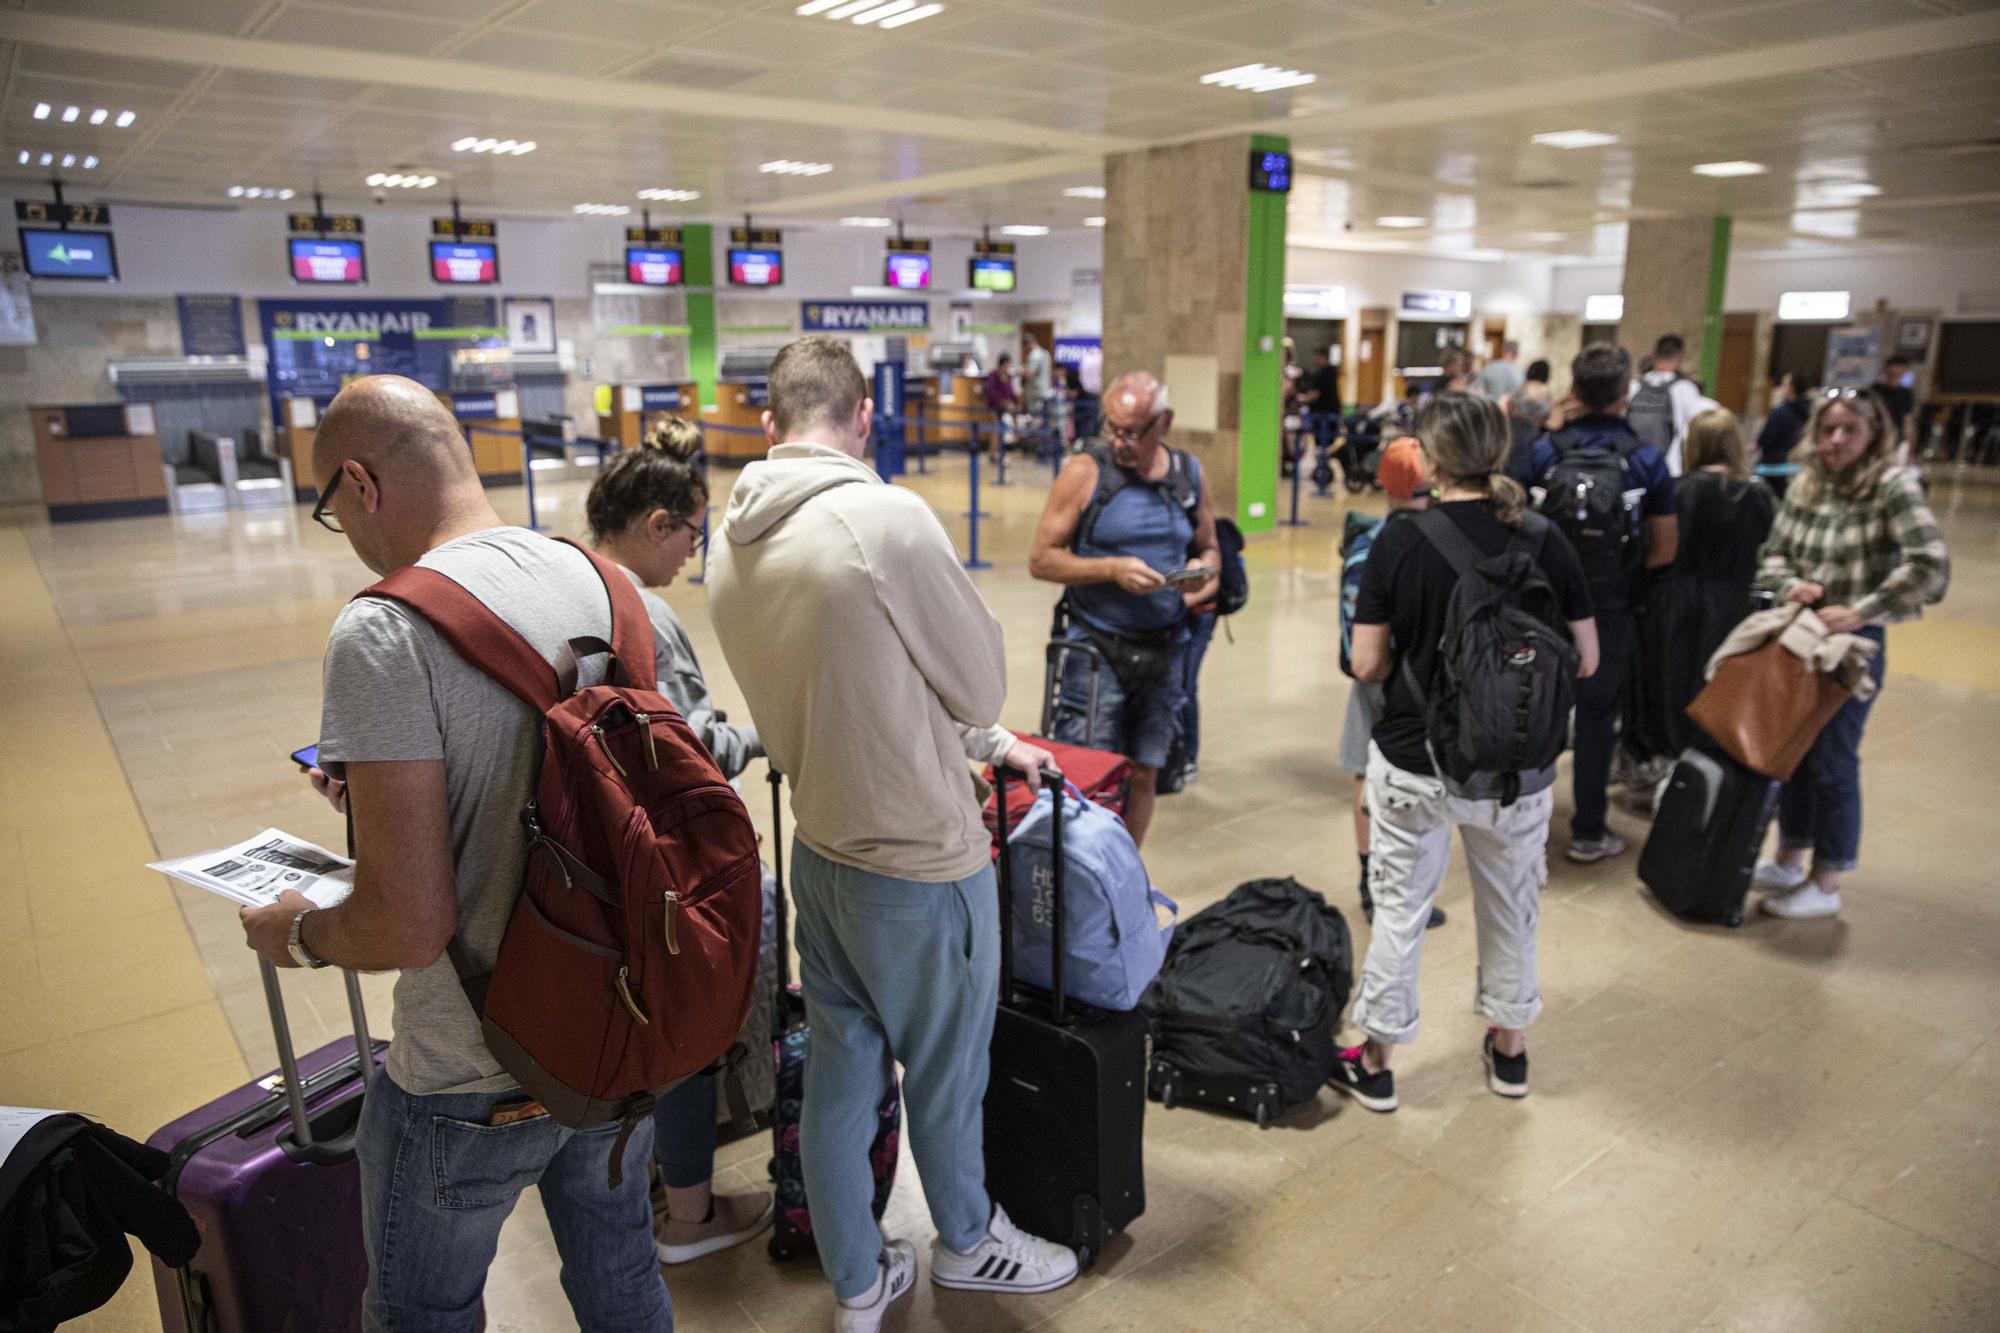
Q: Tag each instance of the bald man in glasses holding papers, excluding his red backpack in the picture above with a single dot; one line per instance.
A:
(437, 764)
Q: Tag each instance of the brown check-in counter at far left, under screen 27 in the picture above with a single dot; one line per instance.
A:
(99, 461)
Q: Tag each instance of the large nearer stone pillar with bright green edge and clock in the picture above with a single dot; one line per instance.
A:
(1195, 293)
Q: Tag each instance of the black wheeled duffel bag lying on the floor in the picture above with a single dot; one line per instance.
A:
(1249, 998)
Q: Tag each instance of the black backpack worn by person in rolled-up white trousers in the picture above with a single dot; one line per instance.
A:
(1497, 714)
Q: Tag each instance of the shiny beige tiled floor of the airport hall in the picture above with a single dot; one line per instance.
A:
(1777, 1128)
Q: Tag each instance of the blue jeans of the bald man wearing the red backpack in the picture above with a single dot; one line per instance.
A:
(437, 1184)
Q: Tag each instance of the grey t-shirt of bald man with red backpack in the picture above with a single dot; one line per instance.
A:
(397, 692)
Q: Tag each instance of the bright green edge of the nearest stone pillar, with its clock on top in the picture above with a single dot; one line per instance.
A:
(1263, 385)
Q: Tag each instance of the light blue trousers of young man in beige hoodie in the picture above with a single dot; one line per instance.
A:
(895, 972)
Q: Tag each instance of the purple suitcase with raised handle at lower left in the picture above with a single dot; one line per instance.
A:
(271, 1180)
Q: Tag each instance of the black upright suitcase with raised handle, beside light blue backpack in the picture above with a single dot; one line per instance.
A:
(1067, 1096)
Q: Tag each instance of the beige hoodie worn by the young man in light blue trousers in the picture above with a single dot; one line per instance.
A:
(869, 661)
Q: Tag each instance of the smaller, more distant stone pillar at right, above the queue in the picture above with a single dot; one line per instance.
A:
(1673, 283)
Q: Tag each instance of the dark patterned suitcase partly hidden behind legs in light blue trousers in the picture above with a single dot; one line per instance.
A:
(791, 1232)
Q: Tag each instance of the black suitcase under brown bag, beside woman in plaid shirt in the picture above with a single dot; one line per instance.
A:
(1707, 838)
